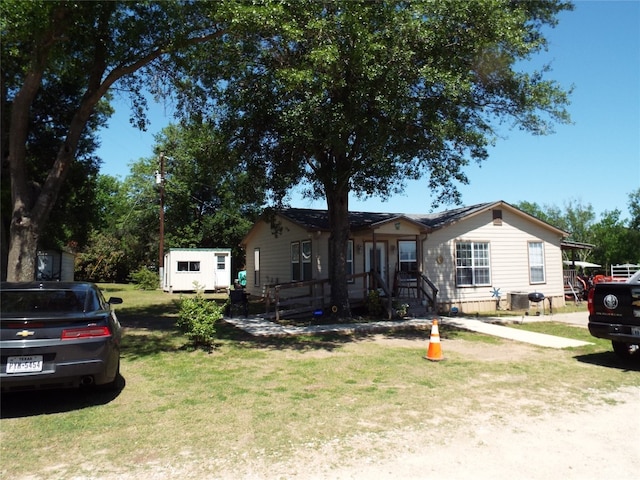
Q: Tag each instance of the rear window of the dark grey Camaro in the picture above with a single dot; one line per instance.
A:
(42, 301)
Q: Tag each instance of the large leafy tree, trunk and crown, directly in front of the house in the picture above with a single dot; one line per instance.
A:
(356, 97)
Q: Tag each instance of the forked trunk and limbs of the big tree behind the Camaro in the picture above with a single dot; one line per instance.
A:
(29, 213)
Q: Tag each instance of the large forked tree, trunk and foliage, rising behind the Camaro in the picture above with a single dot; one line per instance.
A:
(98, 44)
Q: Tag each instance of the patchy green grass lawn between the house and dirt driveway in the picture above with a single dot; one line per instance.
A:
(272, 396)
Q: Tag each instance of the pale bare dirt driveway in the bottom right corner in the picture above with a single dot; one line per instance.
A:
(590, 442)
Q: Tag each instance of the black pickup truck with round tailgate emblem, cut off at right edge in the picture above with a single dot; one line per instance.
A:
(614, 314)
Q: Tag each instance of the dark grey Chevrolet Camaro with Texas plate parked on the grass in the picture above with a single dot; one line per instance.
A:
(57, 334)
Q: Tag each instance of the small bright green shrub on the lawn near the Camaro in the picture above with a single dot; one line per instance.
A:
(197, 319)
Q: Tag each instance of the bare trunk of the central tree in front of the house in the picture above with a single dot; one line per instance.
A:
(338, 206)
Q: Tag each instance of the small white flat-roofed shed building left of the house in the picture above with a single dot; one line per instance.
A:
(186, 269)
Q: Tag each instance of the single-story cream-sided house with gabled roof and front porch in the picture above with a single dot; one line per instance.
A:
(472, 258)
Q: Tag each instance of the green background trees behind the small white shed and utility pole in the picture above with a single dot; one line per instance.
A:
(209, 202)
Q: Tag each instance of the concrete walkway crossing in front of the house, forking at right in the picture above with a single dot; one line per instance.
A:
(258, 326)
